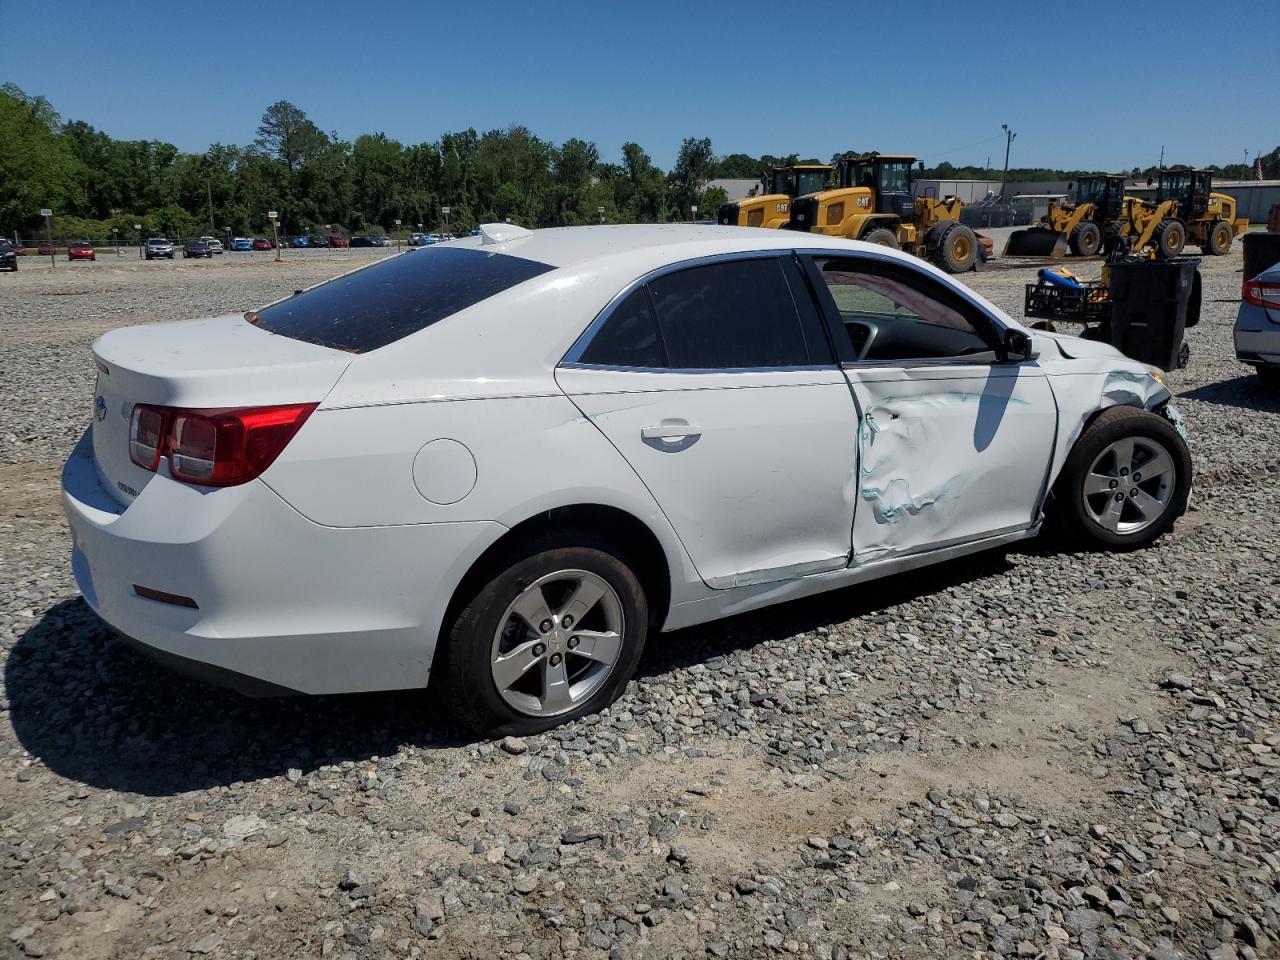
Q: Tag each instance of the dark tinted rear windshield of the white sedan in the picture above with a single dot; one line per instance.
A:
(385, 303)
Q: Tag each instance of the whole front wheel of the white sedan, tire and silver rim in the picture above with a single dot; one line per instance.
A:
(1126, 482)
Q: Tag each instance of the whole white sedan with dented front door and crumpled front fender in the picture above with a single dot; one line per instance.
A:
(502, 464)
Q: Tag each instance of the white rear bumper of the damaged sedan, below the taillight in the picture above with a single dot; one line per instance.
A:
(282, 604)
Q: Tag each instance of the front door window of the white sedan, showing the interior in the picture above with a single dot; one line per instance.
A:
(894, 314)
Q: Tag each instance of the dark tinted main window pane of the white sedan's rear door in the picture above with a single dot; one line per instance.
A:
(738, 314)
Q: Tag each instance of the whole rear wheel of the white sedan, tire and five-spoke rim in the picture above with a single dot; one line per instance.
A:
(552, 637)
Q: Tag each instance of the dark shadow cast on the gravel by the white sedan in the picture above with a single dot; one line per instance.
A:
(93, 710)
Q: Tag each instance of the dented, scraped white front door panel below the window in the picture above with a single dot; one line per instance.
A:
(948, 454)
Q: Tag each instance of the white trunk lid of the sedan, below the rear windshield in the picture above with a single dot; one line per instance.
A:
(216, 364)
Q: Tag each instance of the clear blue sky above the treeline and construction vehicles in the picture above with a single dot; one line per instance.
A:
(931, 79)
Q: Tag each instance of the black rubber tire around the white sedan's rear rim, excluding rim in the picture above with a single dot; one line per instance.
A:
(470, 691)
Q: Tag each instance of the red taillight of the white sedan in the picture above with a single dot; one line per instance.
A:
(213, 447)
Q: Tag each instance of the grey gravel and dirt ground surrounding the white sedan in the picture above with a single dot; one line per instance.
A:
(1036, 755)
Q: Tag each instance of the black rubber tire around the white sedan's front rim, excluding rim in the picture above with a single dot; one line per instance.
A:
(1075, 513)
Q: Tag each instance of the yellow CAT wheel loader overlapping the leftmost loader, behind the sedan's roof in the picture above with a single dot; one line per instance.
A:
(874, 203)
